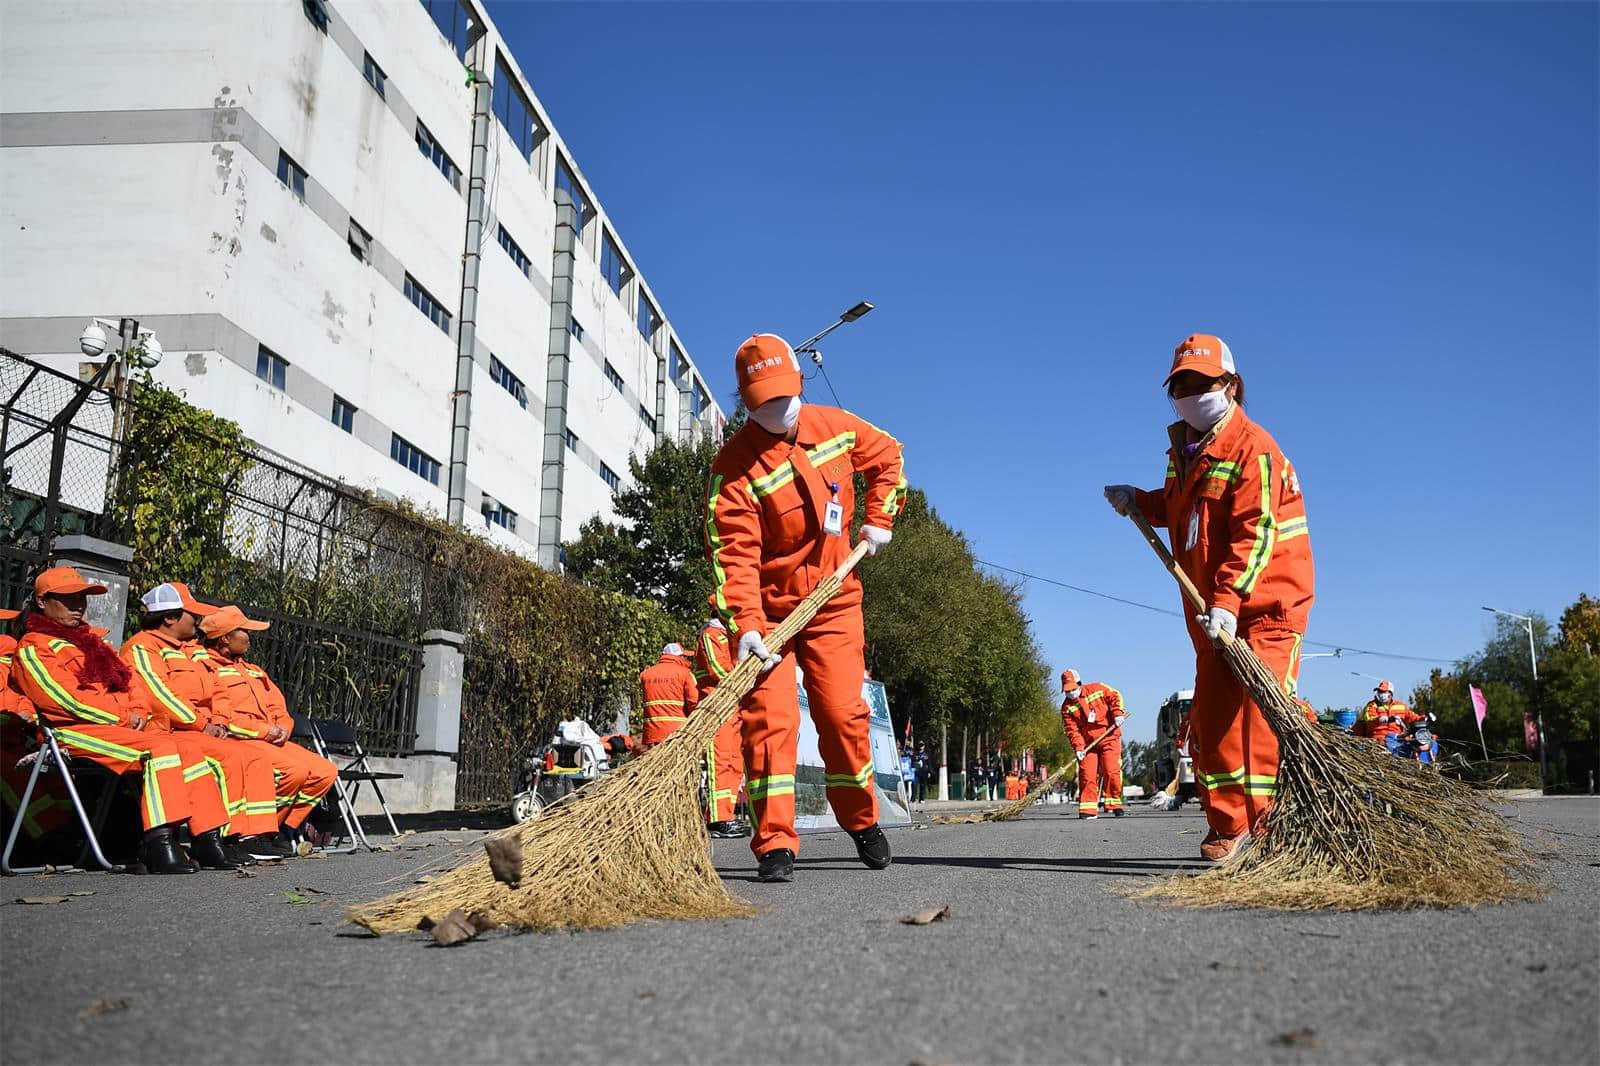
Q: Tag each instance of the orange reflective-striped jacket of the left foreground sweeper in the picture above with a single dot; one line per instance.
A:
(766, 507)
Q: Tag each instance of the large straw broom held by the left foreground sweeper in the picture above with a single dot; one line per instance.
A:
(631, 848)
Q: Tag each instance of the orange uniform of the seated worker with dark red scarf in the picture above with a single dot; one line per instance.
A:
(92, 723)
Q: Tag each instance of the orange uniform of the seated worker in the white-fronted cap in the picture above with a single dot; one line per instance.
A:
(183, 703)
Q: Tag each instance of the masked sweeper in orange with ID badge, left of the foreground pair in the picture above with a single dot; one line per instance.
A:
(778, 510)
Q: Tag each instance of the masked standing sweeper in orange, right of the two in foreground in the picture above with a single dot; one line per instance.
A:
(1236, 519)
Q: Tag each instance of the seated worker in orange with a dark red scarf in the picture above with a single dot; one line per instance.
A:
(78, 684)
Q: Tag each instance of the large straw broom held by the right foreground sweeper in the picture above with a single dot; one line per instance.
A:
(1351, 827)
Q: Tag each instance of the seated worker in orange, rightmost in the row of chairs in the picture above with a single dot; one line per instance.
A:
(260, 719)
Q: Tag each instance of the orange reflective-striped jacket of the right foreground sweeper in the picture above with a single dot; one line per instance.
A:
(1238, 524)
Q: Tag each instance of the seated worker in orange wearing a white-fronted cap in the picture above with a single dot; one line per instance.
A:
(183, 700)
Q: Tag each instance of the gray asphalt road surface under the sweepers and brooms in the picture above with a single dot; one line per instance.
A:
(1041, 961)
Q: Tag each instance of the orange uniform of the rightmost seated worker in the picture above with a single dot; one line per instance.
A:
(255, 707)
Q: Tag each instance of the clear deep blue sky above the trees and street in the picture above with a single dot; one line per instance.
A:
(1388, 212)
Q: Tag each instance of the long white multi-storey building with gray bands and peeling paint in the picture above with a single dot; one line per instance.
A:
(279, 190)
